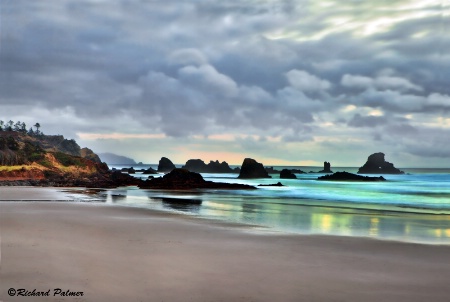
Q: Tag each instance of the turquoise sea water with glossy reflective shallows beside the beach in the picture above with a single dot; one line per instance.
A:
(412, 207)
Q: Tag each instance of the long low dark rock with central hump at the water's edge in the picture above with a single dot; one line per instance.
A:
(182, 179)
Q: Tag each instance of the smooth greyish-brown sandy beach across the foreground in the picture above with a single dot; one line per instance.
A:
(113, 253)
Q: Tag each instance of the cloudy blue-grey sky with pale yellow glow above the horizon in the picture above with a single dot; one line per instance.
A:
(284, 82)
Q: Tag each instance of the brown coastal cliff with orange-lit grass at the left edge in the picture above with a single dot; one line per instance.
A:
(52, 160)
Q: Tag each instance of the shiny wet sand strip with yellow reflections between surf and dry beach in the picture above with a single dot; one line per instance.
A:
(310, 217)
